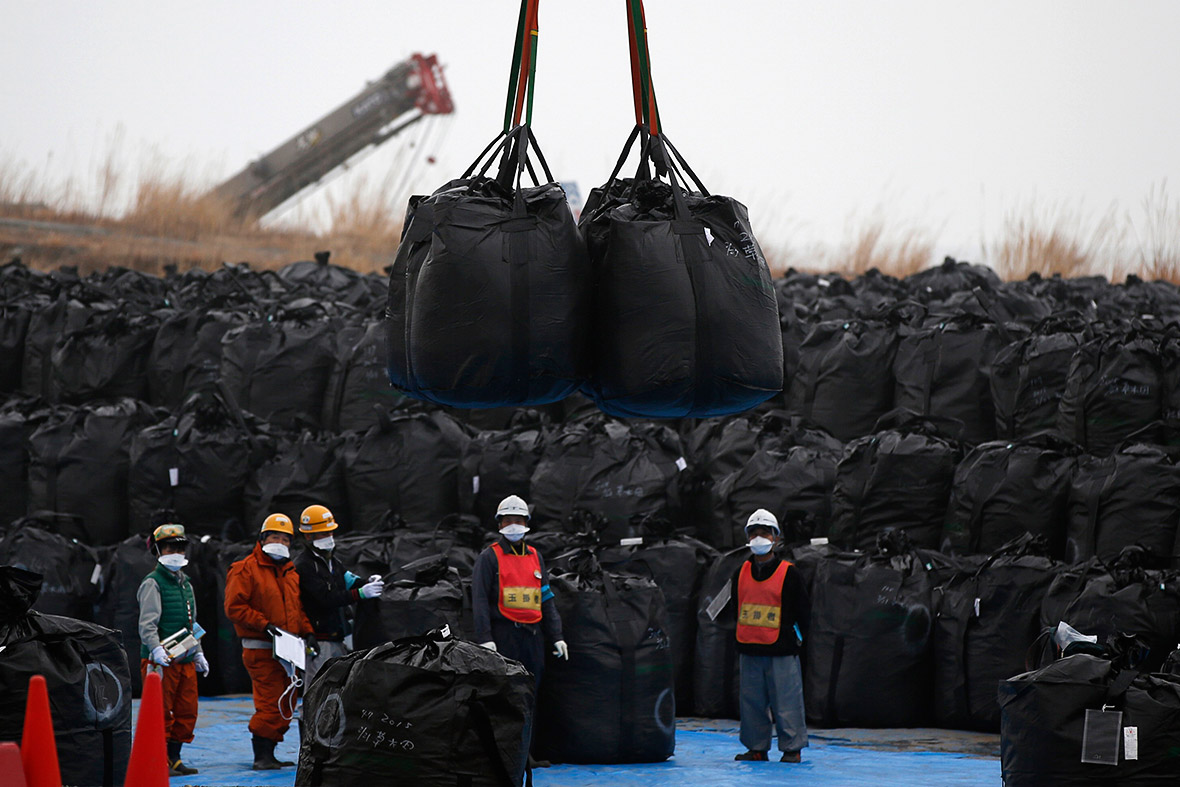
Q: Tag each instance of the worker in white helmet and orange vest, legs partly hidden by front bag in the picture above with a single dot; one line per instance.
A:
(513, 605)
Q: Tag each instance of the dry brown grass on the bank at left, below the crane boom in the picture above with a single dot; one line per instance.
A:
(161, 218)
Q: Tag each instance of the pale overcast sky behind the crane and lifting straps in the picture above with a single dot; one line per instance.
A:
(941, 115)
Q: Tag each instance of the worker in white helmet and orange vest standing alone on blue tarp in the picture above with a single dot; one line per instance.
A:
(772, 620)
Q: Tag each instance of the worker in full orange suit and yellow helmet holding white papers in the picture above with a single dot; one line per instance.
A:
(263, 596)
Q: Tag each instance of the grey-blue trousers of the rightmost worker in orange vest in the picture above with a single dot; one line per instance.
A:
(772, 687)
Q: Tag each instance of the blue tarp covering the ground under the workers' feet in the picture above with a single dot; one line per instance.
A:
(705, 753)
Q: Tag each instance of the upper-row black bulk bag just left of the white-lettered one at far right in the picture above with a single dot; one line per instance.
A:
(1028, 378)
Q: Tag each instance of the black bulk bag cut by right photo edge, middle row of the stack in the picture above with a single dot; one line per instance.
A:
(1131, 497)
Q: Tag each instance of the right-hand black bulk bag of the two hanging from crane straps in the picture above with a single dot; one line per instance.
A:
(686, 322)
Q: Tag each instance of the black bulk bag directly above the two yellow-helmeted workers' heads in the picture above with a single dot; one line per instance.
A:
(306, 469)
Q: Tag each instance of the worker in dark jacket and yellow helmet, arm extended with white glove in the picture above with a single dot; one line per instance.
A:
(327, 591)
